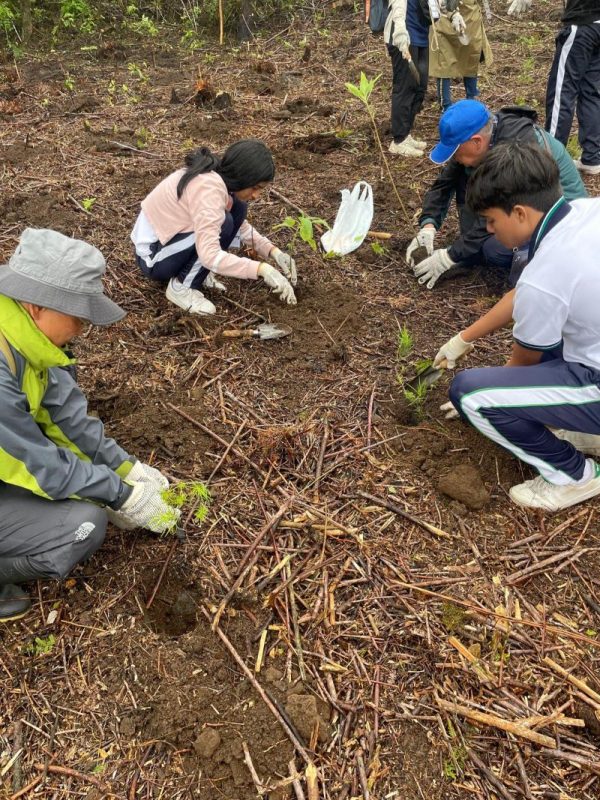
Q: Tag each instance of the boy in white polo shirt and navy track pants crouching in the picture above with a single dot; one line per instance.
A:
(552, 379)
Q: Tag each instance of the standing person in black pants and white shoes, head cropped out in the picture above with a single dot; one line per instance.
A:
(406, 36)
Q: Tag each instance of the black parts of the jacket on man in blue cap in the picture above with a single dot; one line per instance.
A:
(452, 181)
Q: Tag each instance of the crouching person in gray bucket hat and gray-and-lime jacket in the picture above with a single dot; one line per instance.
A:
(61, 478)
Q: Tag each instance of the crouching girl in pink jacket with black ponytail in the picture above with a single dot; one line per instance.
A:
(188, 222)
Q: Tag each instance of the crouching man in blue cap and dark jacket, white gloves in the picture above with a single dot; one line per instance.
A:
(468, 130)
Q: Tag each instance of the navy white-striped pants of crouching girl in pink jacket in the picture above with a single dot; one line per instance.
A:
(178, 257)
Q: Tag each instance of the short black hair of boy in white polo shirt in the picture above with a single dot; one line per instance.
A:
(514, 174)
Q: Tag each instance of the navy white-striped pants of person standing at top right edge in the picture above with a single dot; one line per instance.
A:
(574, 85)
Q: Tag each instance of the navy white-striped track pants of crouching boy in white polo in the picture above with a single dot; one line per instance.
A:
(515, 406)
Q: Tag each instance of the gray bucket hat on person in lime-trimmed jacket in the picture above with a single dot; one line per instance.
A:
(57, 272)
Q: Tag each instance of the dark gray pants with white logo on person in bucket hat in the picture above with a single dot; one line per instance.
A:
(42, 538)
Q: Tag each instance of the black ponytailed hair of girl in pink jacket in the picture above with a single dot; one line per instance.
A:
(244, 164)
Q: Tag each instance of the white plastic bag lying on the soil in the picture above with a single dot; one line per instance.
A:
(352, 222)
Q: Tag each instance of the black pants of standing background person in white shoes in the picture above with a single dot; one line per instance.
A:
(407, 94)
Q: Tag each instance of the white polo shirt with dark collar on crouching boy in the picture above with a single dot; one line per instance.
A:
(558, 294)
